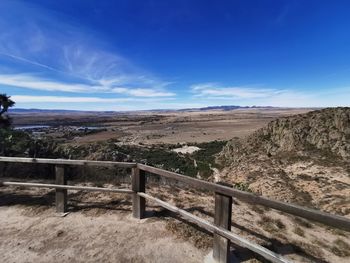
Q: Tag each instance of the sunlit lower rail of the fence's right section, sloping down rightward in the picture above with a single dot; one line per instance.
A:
(273, 257)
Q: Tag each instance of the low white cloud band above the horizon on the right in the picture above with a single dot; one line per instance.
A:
(216, 94)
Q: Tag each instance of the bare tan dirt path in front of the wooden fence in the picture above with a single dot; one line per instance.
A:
(35, 234)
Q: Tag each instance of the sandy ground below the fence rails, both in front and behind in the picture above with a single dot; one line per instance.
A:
(100, 229)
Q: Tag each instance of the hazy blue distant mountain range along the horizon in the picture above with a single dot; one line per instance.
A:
(224, 108)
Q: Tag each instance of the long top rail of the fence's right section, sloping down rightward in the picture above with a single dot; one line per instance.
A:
(308, 213)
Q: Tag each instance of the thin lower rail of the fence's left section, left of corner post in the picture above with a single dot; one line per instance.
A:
(68, 187)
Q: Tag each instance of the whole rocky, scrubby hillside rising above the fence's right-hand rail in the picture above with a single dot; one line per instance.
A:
(302, 159)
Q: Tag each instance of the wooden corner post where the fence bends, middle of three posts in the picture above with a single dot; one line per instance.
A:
(138, 181)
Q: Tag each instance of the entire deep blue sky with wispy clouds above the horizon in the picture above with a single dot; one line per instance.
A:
(136, 55)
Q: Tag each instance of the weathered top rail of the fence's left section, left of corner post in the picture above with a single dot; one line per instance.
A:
(67, 162)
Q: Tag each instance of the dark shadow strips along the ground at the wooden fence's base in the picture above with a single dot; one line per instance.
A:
(77, 204)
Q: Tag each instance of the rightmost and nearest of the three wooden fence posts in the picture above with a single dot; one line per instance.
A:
(222, 218)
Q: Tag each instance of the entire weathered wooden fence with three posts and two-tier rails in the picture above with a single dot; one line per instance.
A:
(223, 202)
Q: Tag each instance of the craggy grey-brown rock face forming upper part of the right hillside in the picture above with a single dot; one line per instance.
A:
(327, 130)
